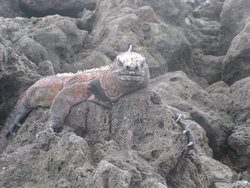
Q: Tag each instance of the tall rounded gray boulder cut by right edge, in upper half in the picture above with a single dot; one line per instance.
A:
(235, 64)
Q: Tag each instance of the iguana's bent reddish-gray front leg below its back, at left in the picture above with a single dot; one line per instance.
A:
(65, 99)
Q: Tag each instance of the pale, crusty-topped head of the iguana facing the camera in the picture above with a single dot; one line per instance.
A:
(130, 69)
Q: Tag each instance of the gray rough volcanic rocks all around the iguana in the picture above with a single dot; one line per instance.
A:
(198, 53)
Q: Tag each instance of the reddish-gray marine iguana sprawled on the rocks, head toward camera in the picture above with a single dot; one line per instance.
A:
(128, 72)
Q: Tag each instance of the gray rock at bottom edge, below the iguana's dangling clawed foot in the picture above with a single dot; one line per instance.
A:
(206, 172)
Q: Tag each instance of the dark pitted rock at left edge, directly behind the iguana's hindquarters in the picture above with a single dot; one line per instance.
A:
(17, 74)
